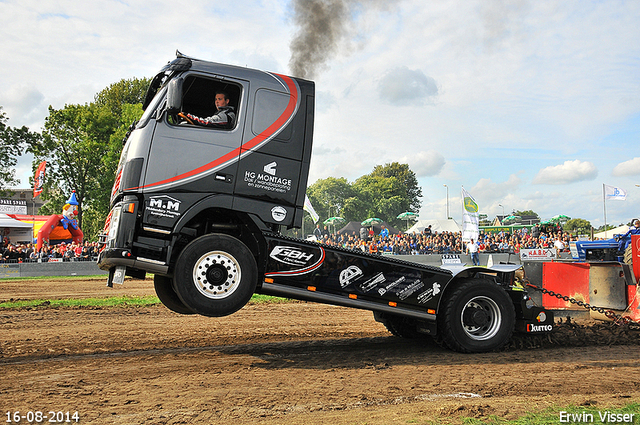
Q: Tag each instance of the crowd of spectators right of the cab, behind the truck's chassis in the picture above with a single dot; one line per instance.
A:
(430, 242)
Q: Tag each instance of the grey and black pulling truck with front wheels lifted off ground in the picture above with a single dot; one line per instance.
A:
(203, 208)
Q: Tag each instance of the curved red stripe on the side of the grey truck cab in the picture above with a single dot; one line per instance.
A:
(270, 131)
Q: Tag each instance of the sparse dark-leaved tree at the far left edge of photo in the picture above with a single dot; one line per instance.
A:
(12, 142)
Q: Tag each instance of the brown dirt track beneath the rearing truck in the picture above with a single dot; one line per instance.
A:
(295, 363)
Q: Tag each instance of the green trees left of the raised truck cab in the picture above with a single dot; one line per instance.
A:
(81, 145)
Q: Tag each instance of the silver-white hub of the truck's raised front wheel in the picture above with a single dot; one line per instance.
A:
(216, 274)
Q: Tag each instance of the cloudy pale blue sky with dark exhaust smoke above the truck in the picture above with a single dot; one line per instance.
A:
(528, 105)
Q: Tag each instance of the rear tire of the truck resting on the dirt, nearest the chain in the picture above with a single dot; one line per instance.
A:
(478, 316)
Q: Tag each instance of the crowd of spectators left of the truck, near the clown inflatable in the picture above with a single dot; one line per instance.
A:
(26, 253)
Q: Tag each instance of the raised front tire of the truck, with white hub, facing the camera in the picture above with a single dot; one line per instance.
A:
(215, 275)
